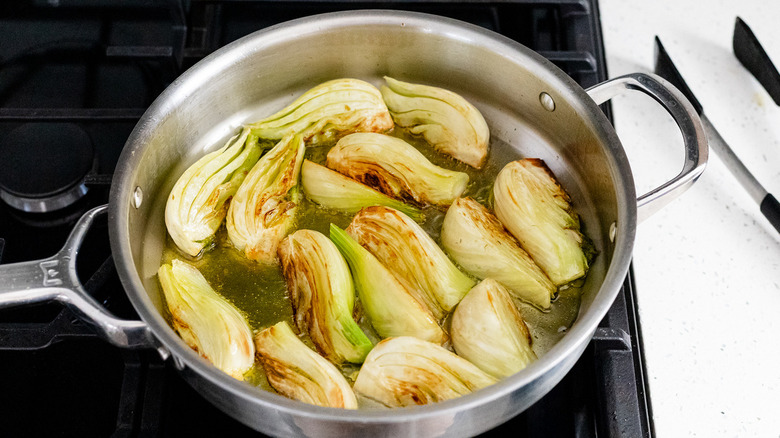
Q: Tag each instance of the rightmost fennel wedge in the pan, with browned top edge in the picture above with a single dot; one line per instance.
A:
(532, 205)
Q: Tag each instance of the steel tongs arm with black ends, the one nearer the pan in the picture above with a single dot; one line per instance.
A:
(770, 208)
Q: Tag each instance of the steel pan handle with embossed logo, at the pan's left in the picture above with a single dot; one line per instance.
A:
(55, 279)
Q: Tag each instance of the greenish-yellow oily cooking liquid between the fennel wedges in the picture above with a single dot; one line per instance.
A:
(261, 293)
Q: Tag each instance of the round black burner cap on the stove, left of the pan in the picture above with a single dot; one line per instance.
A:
(44, 164)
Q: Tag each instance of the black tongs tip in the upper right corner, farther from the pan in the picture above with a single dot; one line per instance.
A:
(752, 55)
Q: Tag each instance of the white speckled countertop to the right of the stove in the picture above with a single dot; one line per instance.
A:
(708, 265)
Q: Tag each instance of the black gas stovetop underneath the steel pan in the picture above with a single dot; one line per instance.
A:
(75, 76)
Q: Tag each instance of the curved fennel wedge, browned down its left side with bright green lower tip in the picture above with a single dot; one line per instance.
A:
(323, 296)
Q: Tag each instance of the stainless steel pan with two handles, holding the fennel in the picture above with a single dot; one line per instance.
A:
(531, 106)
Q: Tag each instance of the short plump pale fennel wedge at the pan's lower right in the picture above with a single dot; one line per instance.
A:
(488, 331)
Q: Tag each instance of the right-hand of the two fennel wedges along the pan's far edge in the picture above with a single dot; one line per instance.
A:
(445, 119)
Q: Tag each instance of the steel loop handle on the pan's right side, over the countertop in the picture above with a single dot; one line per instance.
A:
(681, 110)
